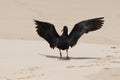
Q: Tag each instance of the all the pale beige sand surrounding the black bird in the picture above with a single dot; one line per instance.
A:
(26, 56)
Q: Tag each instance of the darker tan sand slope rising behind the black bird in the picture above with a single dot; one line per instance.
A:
(16, 17)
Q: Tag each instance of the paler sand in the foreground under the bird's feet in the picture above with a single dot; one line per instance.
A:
(34, 60)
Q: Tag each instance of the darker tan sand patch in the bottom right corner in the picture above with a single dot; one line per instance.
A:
(107, 74)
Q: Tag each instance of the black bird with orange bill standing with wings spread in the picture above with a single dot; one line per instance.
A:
(48, 32)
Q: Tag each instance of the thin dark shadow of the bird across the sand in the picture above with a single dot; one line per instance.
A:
(64, 58)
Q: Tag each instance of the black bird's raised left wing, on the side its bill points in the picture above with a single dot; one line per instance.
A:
(47, 31)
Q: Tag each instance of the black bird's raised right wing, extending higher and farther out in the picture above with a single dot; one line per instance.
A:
(84, 27)
